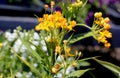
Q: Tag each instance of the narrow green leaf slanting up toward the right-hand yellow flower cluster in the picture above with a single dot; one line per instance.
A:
(79, 37)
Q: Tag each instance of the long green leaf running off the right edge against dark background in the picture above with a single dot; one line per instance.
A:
(114, 68)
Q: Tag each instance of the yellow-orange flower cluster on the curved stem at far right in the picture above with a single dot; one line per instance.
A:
(101, 27)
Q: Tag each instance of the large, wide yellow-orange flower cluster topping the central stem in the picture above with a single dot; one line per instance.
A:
(53, 21)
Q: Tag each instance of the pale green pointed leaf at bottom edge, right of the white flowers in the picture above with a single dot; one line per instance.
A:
(78, 73)
